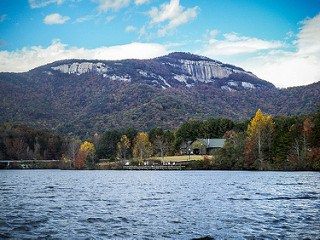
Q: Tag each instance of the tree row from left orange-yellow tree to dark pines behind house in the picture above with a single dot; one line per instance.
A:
(119, 145)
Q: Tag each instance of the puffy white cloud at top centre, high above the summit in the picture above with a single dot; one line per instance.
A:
(171, 14)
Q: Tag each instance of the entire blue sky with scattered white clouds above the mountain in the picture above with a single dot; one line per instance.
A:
(277, 40)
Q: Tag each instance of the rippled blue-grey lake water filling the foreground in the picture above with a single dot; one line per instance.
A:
(55, 204)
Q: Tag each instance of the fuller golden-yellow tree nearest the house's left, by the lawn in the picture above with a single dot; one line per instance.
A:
(142, 146)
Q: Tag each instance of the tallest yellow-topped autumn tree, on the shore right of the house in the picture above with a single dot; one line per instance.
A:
(259, 137)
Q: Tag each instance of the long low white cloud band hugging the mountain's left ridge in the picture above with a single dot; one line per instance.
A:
(29, 58)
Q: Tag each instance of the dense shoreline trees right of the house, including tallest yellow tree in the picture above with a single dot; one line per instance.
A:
(280, 143)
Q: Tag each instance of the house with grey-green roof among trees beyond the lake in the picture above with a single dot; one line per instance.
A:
(201, 146)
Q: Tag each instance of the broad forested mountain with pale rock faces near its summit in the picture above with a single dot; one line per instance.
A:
(86, 96)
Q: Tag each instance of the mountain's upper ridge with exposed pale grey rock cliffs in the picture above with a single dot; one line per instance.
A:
(173, 70)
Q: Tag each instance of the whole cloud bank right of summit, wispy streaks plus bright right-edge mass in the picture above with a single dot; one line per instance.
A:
(274, 61)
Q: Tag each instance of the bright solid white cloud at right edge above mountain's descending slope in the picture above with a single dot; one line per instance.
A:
(292, 68)
